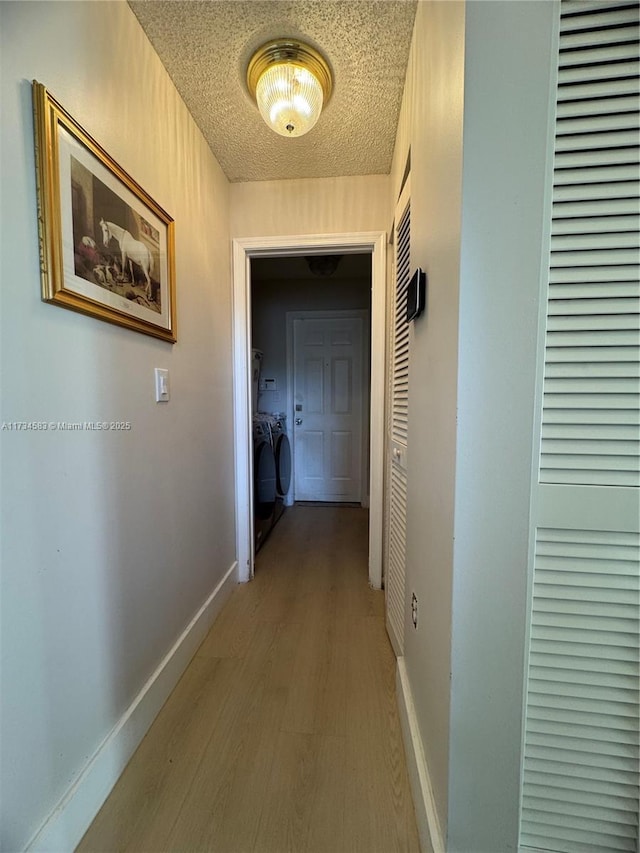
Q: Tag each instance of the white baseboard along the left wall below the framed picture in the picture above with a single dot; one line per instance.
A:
(70, 819)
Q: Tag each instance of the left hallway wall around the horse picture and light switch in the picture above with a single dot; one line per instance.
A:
(110, 541)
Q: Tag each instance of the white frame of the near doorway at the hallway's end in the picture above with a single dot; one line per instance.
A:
(243, 249)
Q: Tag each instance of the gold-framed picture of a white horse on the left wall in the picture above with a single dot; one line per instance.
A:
(106, 247)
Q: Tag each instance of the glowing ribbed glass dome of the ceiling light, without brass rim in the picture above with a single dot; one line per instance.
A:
(289, 99)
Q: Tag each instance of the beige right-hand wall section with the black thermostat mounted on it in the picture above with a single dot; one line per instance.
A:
(431, 124)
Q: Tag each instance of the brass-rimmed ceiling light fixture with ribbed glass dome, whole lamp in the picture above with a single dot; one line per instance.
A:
(290, 82)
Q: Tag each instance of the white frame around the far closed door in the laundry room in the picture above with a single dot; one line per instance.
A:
(320, 314)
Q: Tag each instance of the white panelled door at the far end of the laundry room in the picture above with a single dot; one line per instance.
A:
(328, 408)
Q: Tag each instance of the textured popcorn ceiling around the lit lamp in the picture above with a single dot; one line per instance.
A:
(205, 46)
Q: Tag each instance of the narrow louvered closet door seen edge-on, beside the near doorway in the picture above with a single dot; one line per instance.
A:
(398, 423)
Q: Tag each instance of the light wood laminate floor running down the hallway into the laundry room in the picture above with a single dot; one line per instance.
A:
(282, 735)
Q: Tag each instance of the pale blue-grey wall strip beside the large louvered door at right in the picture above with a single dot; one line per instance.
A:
(508, 77)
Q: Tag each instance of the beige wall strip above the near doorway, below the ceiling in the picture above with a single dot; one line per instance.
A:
(310, 206)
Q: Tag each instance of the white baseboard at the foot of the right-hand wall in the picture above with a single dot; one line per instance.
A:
(431, 840)
